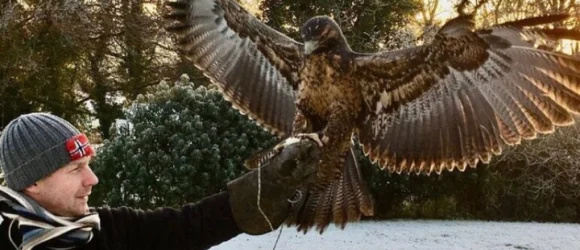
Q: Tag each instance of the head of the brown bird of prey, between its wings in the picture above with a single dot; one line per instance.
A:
(321, 33)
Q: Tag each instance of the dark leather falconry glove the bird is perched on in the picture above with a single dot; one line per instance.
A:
(290, 165)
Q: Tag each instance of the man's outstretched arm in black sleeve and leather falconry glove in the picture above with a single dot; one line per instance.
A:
(219, 217)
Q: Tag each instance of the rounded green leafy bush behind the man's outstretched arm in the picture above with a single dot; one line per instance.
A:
(184, 143)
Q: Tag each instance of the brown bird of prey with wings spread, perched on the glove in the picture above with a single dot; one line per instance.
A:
(440, 106)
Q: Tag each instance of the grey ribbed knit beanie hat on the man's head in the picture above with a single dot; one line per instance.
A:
(33, 146)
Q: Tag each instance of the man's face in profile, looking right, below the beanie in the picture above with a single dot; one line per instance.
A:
(66, 191)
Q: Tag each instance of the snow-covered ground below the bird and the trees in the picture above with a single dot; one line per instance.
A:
(421, 234)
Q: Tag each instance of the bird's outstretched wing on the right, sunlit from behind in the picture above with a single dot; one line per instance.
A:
(466, 95)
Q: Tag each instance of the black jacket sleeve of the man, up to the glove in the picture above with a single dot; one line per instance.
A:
(195, 226)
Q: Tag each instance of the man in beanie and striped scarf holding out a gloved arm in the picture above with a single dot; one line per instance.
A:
(45, 161)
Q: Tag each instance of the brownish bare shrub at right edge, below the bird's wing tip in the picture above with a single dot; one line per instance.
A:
(541, 178)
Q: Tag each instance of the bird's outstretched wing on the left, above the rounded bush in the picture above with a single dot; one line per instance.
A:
(254, 65)
